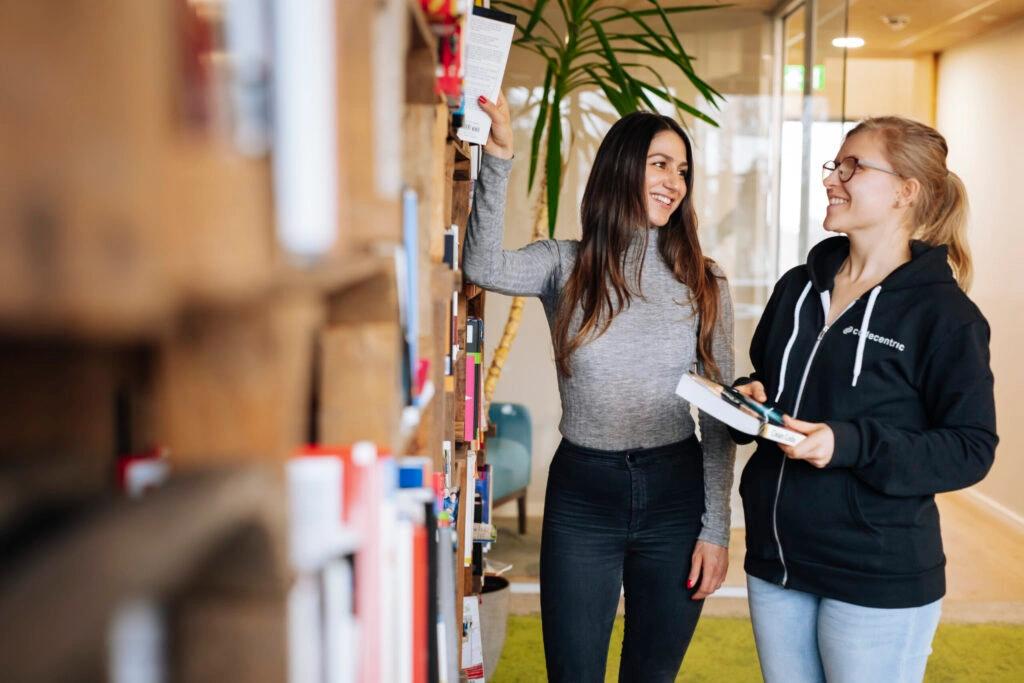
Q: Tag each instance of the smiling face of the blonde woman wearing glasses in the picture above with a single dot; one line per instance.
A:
(871, 197)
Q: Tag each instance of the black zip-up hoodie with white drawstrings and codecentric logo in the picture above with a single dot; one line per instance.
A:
(903, 377)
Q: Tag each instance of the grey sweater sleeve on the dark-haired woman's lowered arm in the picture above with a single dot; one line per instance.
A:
(719, 451)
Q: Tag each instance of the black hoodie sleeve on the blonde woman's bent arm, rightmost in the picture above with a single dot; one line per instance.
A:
(957, 451)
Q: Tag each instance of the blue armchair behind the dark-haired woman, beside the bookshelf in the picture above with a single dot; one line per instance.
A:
(509, 453)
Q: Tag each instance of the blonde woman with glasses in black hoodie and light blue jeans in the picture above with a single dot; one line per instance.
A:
(882, 360)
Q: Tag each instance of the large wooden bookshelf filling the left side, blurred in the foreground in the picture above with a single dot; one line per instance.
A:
(147, 300)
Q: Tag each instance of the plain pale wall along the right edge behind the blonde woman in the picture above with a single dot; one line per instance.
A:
(979, 106)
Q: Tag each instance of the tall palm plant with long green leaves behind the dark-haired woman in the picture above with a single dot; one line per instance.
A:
(592, 46)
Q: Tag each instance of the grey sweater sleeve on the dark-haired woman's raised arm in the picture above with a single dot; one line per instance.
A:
(528, 272)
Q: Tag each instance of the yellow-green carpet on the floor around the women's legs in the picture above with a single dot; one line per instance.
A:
(723, 651)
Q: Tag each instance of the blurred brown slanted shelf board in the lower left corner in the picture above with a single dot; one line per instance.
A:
(220, 529)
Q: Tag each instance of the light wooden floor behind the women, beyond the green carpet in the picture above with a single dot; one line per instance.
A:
(985, 571)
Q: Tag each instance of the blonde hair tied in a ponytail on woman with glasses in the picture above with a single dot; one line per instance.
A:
(941, 214)
